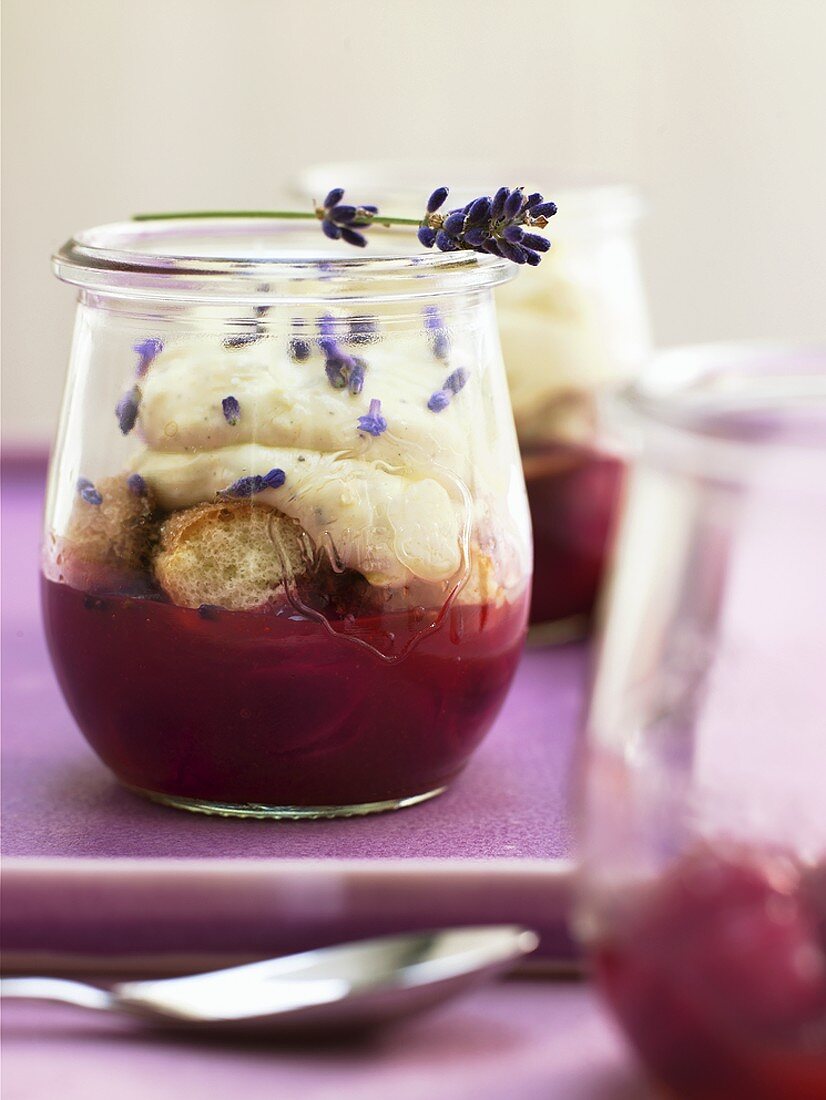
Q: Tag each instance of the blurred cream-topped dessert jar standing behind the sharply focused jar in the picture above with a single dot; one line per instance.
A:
(570, 331)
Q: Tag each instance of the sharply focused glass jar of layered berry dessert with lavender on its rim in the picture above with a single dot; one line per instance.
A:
(288, 546)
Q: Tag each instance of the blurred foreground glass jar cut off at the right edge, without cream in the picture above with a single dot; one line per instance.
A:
(703, 895)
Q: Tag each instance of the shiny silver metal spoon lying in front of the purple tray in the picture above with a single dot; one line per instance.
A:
(351, 986)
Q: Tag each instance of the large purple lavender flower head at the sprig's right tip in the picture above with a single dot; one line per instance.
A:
(495, 226)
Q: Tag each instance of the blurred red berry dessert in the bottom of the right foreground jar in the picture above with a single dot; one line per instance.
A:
(719, 977)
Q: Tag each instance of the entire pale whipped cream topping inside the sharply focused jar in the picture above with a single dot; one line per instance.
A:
(397, 507)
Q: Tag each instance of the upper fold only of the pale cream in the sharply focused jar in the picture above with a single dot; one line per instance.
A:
(289, 404)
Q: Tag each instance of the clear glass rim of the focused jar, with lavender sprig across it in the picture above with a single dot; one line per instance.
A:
(233, 259)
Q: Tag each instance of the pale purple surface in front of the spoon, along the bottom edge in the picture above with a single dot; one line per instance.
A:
(514, 1041)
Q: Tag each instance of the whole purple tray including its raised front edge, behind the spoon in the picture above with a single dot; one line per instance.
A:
(86, 860)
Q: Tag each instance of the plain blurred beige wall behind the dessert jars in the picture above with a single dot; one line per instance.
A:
(718, 108)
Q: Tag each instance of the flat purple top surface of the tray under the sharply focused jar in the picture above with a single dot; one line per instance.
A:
(59, 801)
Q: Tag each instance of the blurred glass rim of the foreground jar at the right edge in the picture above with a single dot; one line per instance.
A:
(719, 408)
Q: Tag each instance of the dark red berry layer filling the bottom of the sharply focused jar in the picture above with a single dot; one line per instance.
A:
(281, 709)
